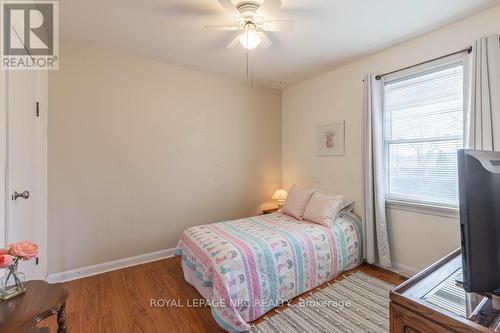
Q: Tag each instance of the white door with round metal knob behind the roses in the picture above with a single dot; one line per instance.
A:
(25, 168)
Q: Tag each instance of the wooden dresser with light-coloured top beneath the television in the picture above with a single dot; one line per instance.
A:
(433, 301)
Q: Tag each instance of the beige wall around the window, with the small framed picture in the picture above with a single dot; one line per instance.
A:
(417, 239)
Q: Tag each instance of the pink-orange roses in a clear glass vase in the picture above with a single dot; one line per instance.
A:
(12, 284)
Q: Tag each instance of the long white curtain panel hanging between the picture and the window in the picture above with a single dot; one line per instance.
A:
(376, 238)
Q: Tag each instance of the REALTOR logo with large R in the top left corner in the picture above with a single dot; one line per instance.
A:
(30, 39)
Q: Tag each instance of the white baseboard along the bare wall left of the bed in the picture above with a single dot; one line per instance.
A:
(79, 273)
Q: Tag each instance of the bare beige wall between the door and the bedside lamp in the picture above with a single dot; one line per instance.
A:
(140, 150)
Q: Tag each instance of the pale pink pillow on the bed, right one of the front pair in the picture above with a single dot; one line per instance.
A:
(323, 208)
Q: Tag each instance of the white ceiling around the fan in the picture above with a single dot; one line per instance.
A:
(327, 33)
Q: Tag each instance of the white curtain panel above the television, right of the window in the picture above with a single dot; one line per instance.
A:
(483, 95)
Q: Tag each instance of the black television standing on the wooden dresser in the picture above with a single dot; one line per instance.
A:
(479, 193)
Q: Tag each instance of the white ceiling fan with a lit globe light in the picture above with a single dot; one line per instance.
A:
(250, 23)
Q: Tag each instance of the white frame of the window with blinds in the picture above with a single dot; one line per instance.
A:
(406, 204)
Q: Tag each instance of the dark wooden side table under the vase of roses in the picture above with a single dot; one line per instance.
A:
(40, 301)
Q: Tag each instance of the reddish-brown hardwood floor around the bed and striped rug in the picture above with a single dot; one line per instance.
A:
(120, 301)
